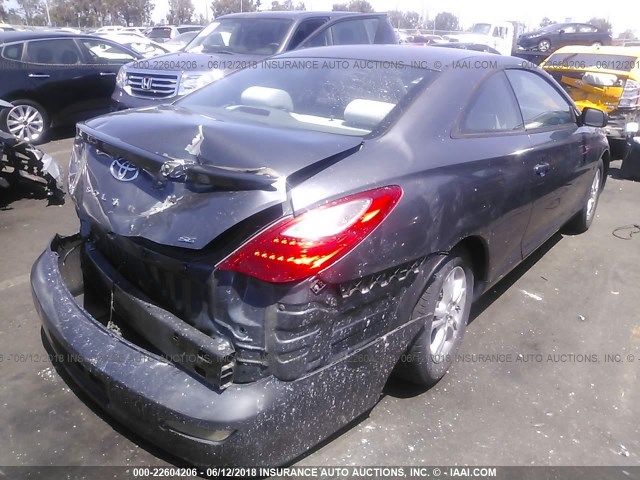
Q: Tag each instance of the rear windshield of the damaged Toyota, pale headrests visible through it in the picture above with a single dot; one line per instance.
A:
(348, 97)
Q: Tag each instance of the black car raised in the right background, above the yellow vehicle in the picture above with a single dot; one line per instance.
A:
(561, 34)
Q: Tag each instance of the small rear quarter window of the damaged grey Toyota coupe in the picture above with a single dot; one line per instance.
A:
(494, 108)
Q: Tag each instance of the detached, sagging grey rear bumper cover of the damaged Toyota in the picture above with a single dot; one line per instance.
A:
(268, 422)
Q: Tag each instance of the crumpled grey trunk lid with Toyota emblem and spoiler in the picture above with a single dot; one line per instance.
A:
(187, 178)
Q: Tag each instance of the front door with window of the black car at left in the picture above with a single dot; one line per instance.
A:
(104, 59)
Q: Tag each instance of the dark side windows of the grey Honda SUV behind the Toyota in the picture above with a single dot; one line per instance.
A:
(352, 30)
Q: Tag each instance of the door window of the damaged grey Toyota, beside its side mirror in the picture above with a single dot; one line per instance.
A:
(542, 106)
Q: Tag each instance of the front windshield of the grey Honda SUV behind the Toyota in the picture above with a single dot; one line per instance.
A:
(257, 36)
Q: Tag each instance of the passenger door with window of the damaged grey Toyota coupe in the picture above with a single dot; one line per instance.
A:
(557, 160)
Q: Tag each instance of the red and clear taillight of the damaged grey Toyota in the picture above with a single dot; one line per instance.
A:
(295, 248)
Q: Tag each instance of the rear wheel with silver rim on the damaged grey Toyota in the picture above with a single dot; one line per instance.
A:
(431, 353)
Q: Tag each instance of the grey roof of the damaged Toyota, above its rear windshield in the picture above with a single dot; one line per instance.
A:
(400, 53)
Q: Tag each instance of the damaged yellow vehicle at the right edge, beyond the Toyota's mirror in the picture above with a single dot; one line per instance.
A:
(606, 78)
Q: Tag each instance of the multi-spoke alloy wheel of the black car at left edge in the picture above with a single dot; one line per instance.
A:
(28, 111)
